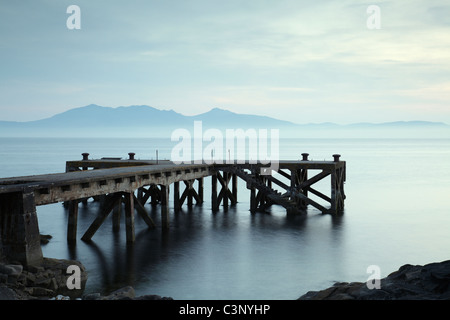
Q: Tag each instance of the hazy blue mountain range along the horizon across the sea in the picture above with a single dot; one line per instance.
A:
(146, 121)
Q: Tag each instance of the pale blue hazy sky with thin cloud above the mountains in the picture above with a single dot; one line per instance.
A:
(303, 61)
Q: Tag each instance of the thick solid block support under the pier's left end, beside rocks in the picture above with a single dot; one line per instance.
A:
(19, 228)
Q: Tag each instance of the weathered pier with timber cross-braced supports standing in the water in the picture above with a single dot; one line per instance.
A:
(114, 182)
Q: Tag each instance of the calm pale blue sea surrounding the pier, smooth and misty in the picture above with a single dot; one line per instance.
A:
(397, 211)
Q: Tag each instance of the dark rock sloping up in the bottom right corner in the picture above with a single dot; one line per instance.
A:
(428, 282)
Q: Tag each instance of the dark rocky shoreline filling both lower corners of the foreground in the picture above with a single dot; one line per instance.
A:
(49, 282)
